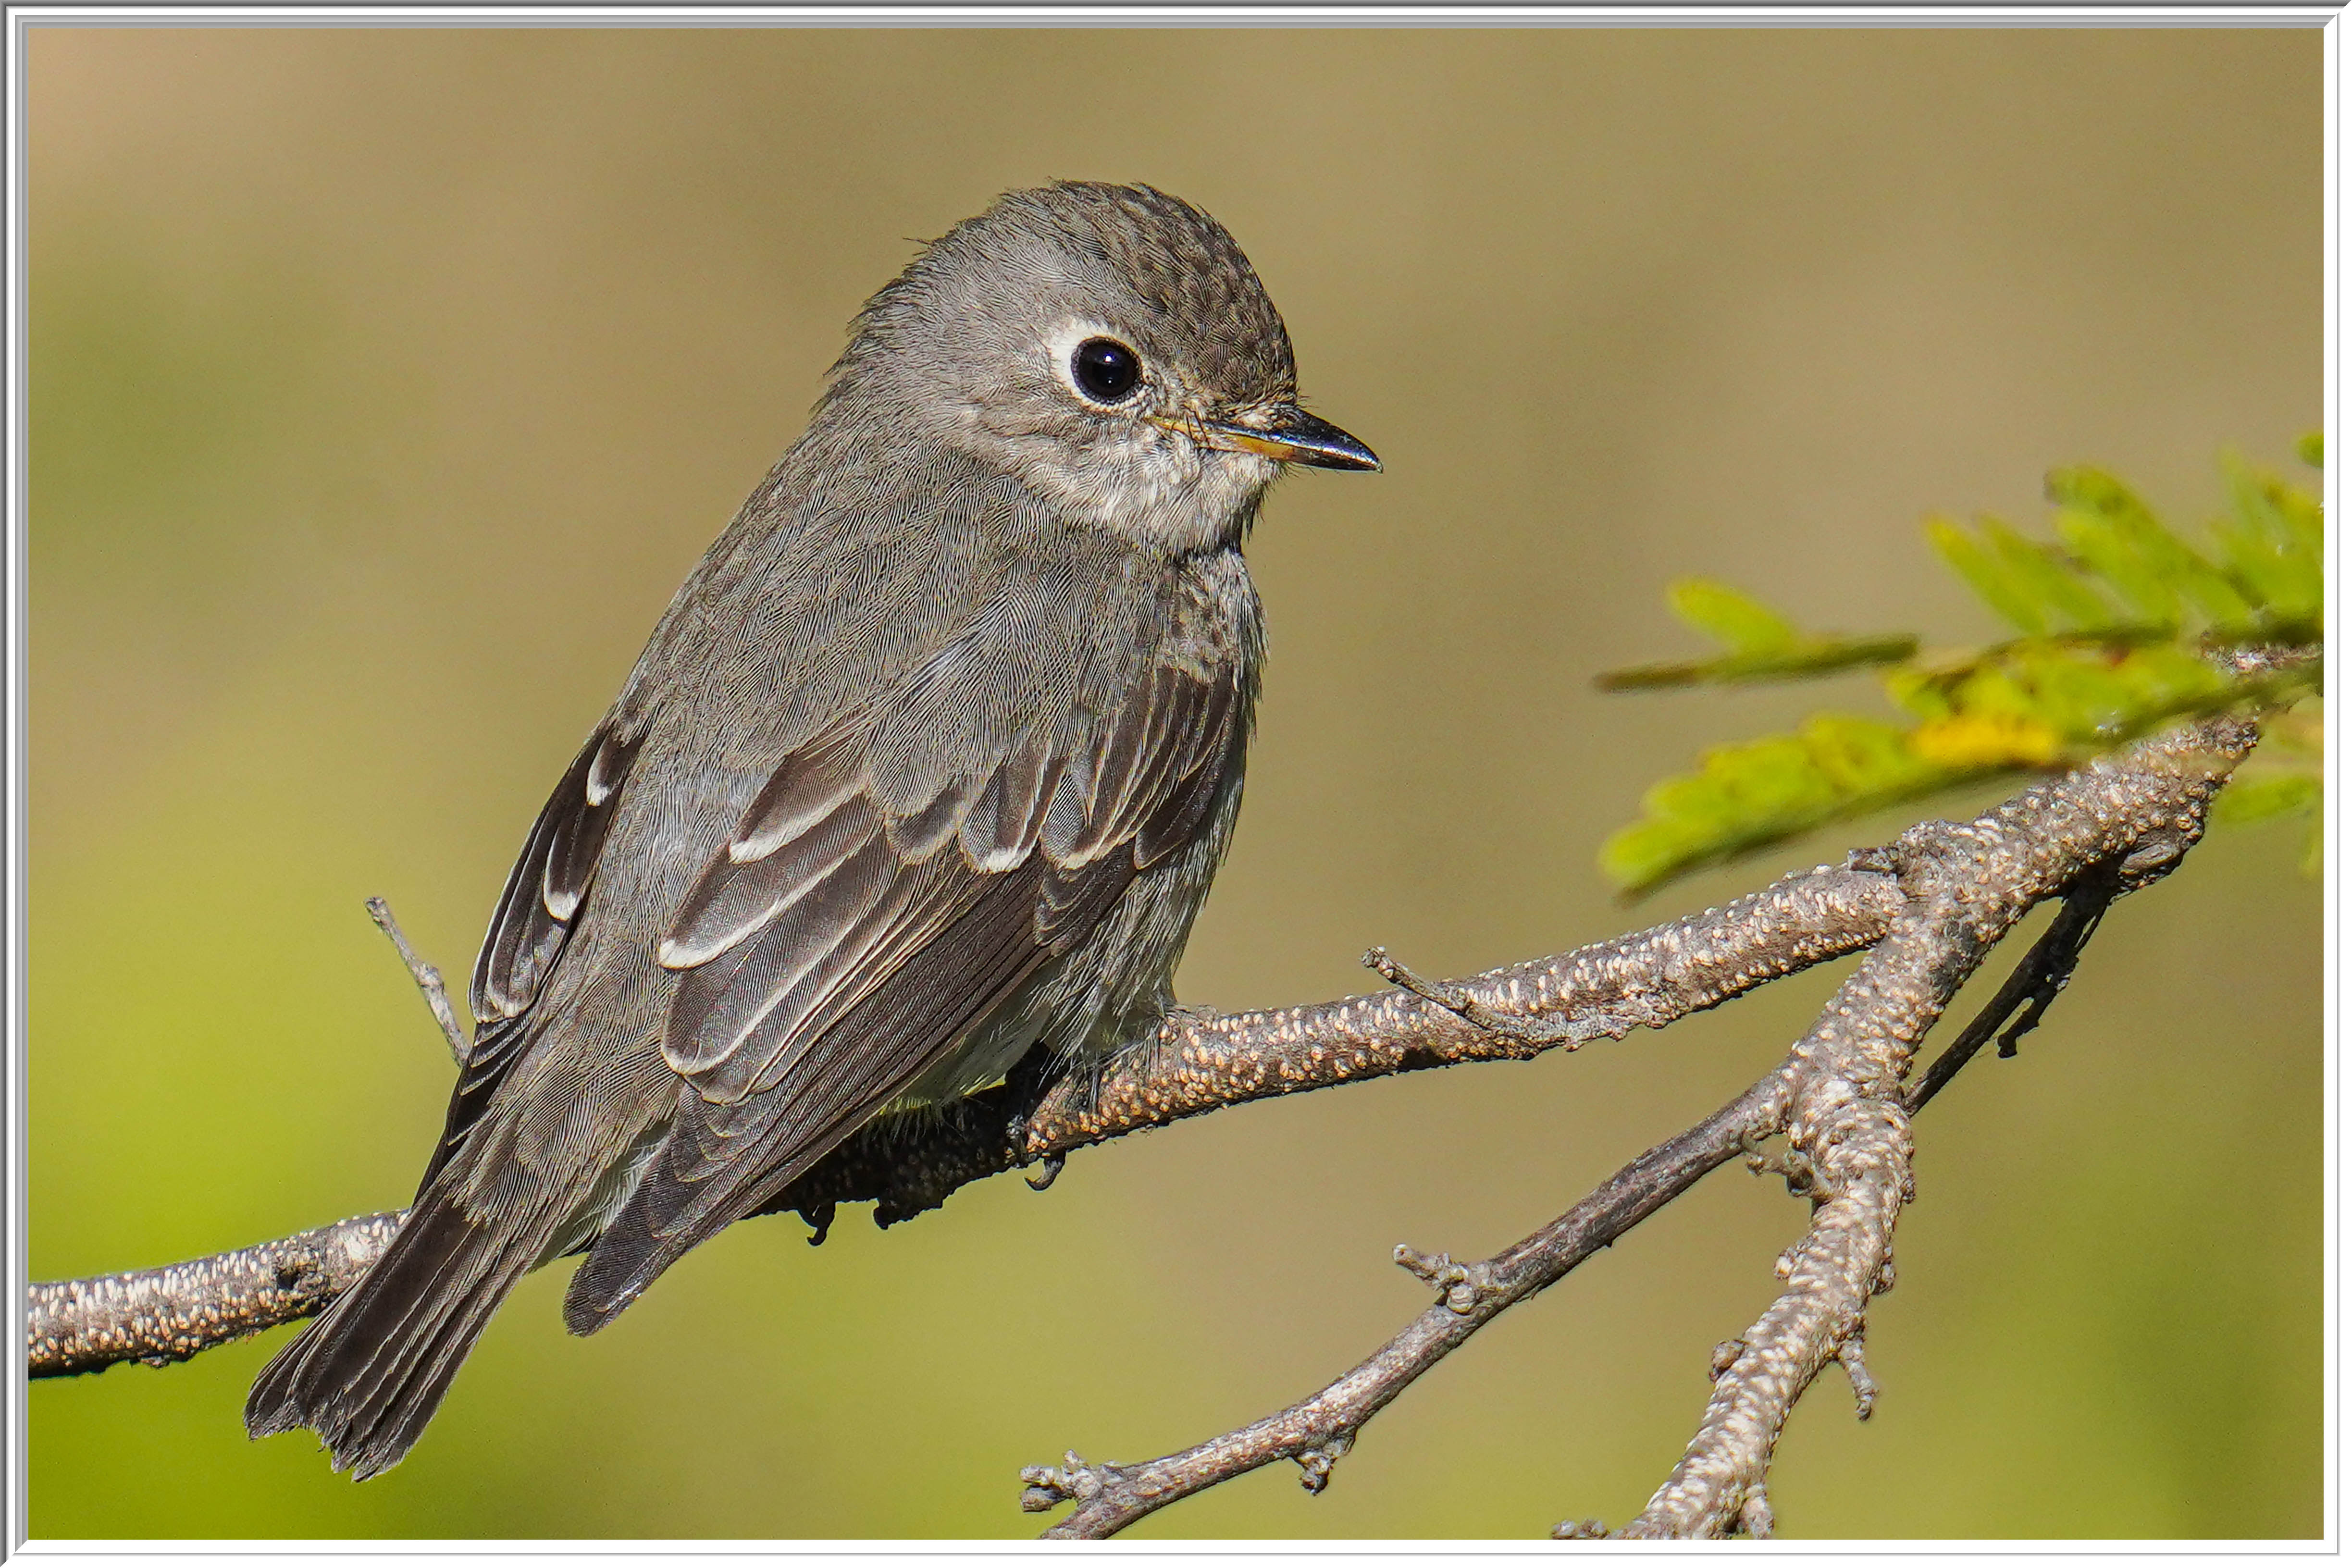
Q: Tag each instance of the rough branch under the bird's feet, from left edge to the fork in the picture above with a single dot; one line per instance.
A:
(1198, 1064)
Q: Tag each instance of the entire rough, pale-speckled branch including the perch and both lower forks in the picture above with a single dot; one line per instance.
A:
(1927, 909)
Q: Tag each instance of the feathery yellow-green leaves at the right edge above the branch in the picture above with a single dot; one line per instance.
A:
(2123, 626)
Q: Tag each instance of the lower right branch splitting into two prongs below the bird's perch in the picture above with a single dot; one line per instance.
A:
(1838, 1092)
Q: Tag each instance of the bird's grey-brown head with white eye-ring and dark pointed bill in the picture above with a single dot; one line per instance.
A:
(1107, 344)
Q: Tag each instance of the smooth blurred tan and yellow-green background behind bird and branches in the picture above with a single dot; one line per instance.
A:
(385, 384)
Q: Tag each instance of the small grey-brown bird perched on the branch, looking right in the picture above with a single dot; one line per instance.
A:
(928, 765)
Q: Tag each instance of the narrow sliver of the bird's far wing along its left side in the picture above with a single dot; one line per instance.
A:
(535, 918)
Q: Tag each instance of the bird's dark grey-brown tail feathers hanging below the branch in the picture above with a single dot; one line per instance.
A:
(370, 1374)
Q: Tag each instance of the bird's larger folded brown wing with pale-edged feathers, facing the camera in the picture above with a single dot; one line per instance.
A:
(836, 949)
